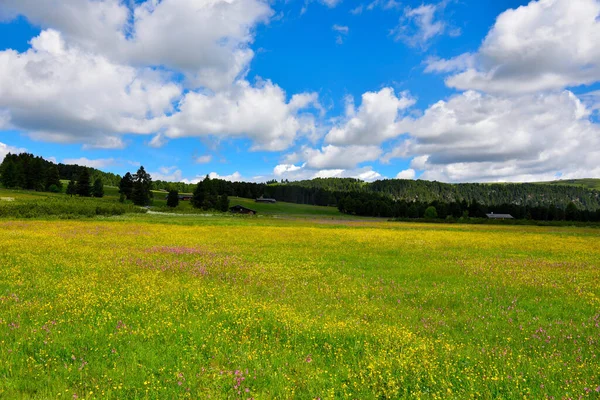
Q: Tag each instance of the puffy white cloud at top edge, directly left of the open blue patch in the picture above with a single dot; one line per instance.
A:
(208, 40)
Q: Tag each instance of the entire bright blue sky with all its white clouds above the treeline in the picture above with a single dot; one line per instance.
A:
(246, 89)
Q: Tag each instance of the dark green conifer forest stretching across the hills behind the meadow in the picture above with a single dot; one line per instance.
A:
(390, 198)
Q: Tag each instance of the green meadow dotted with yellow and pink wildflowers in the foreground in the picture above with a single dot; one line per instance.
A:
(148, 307)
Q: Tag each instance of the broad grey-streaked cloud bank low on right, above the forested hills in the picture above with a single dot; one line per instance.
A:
(477, 137)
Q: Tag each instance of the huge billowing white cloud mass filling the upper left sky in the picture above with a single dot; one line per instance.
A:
(88, 77)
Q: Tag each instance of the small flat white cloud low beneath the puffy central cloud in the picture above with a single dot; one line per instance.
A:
(335, 157)
